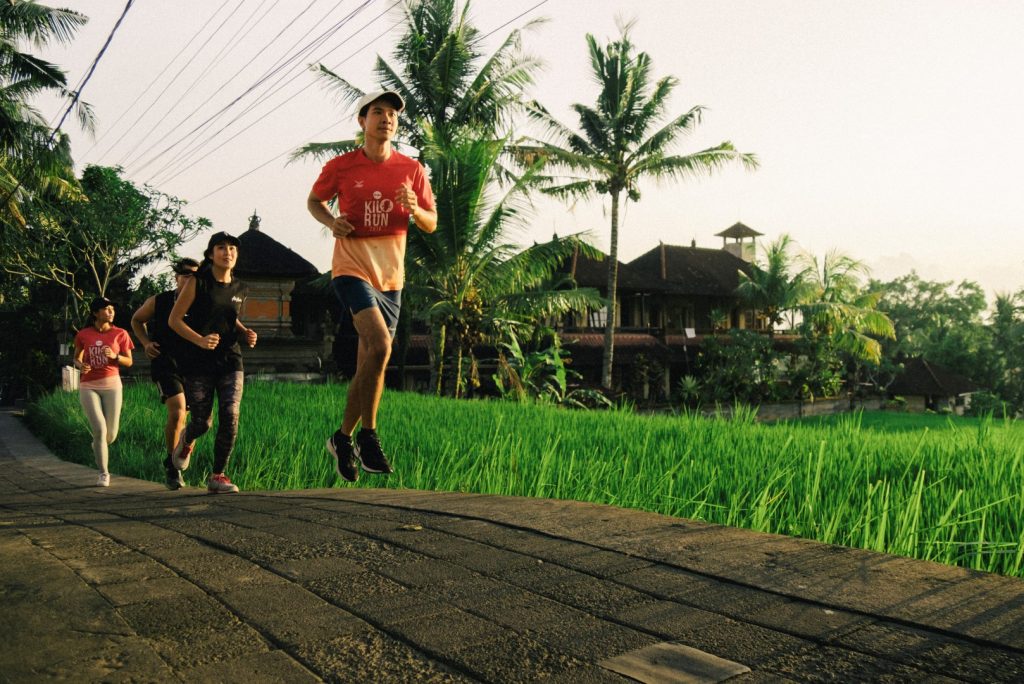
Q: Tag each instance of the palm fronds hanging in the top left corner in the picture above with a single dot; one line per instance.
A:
(34, 164)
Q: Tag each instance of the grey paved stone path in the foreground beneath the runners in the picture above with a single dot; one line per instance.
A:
(136, 583)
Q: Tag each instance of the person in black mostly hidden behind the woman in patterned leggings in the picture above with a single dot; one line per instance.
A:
(163, 347)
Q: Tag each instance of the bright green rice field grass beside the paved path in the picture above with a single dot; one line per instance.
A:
(932, 488)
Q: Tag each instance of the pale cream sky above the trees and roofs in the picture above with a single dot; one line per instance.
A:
(887, 131)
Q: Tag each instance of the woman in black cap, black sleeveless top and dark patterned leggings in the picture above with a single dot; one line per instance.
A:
(206, 316)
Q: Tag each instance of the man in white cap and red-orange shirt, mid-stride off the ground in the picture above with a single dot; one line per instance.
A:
(378, 192)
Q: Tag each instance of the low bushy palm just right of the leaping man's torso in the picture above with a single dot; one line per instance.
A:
(467, 280)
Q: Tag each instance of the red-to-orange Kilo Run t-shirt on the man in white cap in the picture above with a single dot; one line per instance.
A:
(376, 250)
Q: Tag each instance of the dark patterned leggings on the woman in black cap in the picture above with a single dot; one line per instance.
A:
(199, 393)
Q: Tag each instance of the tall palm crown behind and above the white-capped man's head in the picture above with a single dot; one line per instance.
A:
(450, 87)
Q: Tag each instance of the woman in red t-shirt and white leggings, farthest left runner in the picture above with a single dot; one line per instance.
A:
(101, 351)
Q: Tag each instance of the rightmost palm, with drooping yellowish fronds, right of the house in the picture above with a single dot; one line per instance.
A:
(841, 312)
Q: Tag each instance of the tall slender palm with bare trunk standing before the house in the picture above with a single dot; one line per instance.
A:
(618, 146)
